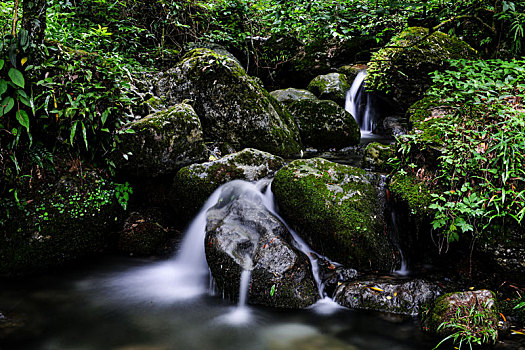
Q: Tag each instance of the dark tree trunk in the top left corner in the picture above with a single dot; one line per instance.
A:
(34, 19)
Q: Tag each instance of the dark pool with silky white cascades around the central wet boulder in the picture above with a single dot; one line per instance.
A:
(124, 303)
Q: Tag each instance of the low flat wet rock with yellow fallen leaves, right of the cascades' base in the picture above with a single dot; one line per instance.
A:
(388, 295)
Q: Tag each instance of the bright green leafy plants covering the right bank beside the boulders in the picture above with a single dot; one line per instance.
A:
(477, 127)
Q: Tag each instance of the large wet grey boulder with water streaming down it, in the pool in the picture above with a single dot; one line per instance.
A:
(242, 234)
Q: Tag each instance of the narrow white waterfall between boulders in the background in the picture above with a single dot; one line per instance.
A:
(359, 104)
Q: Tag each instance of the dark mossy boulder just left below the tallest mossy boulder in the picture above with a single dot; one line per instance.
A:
(161, 143)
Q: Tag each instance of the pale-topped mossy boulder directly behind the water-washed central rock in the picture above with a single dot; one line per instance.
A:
(195, 183)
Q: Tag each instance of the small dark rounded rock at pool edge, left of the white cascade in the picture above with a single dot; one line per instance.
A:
(144, 233)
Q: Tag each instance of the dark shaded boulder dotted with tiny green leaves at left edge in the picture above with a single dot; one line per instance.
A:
(64, 221)
